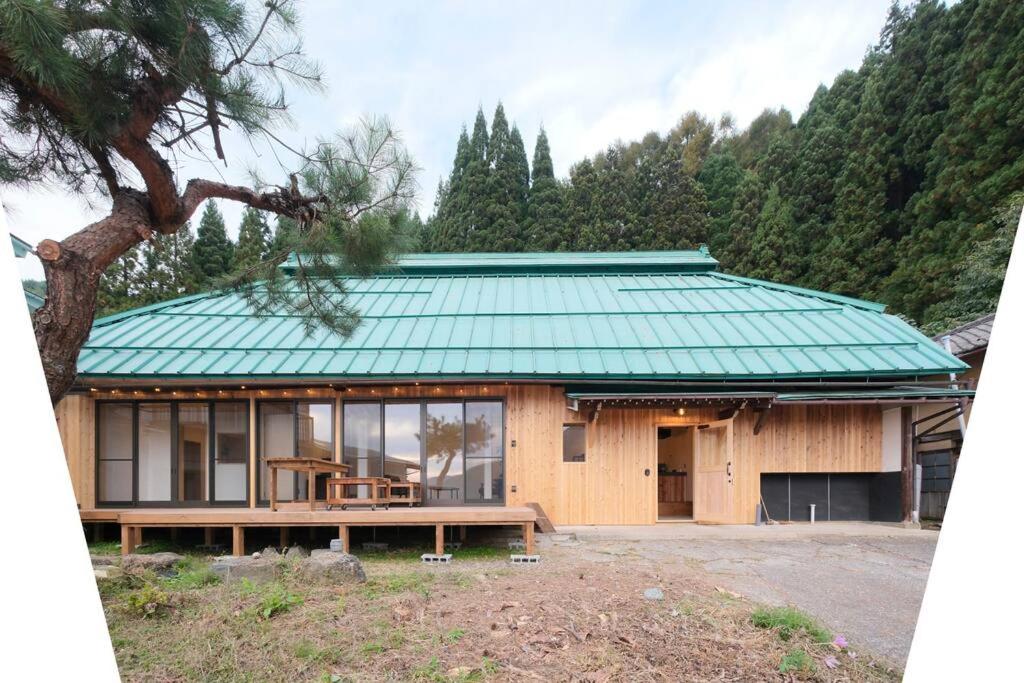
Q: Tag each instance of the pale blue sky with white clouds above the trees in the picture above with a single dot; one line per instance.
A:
(590, 73)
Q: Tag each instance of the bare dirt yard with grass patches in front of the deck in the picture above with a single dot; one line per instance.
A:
(579, 616)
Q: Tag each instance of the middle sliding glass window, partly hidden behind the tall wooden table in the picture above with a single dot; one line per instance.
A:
(293, 430)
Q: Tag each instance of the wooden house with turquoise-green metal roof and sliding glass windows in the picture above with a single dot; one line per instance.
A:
(601, 389)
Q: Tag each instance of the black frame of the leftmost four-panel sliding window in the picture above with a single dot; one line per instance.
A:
(211, 447)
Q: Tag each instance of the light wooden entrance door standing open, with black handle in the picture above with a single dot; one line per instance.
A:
(713, 482)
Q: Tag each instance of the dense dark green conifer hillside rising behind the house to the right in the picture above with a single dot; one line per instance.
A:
(899, 183)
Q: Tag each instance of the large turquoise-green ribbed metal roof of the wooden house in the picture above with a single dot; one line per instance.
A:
(663, 316)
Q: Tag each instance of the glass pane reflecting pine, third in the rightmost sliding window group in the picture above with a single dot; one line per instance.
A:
(445, 452)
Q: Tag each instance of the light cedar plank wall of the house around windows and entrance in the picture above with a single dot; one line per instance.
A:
(610, 488)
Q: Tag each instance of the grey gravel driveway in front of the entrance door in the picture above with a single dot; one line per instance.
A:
(863, 581)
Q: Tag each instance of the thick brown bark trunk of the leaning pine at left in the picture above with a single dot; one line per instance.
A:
(73, 269)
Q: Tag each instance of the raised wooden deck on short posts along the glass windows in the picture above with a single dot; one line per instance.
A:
(134, 521)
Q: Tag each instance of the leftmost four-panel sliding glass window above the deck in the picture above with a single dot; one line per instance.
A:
(161, 453)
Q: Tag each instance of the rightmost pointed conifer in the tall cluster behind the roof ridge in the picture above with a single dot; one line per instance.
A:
(546, 226)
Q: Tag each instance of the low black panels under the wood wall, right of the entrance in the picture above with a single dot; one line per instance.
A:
(855, 497)
